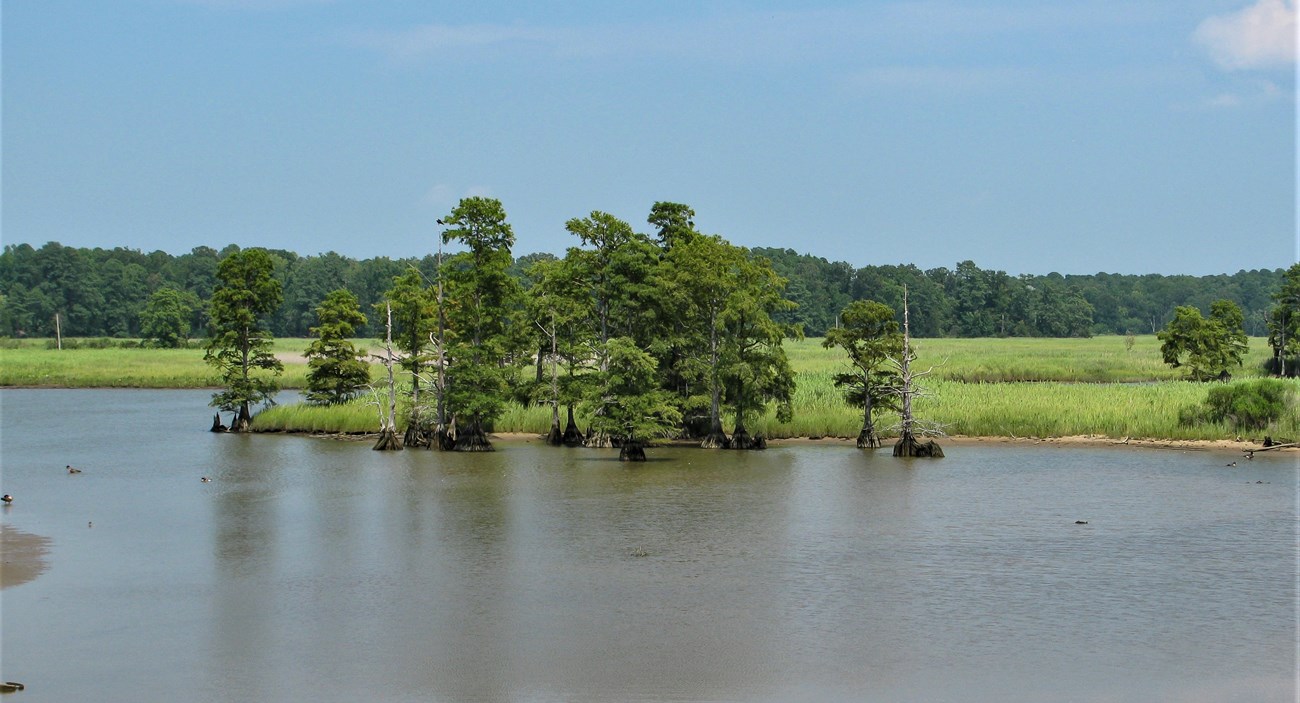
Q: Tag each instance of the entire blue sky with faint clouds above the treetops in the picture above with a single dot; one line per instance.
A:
(1029, 137)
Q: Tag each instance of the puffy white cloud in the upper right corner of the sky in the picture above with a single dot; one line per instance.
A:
(1259, 37)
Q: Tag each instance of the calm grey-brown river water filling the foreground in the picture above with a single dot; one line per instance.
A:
(314, 570)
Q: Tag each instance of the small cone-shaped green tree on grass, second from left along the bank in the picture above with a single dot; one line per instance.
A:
(336, 371)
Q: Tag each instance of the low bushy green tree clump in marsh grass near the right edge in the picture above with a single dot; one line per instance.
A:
(1207, 348)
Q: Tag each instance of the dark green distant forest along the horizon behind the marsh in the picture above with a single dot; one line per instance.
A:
(101, 293)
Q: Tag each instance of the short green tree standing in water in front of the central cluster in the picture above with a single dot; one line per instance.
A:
(634, 407)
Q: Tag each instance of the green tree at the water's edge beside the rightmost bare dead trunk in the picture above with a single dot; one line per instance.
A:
(869, 335)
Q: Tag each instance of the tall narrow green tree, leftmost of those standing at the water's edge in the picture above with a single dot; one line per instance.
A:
(240, 342)
